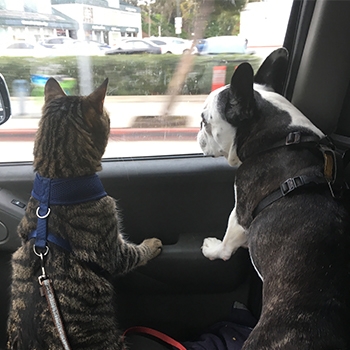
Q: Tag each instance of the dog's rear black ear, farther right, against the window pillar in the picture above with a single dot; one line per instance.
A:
(273, 72)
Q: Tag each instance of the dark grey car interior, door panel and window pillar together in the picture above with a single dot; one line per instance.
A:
(184, 199)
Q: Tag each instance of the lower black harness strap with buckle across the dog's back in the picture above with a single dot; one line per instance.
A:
(287, 187)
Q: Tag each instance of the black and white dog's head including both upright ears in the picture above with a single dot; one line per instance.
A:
(228, 107)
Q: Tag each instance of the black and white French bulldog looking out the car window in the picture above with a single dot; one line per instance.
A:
(298, 235)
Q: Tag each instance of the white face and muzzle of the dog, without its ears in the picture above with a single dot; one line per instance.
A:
(217, 137)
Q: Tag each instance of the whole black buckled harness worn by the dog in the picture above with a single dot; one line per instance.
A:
(332, 175)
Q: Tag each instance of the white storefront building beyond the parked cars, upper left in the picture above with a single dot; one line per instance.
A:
(100, 20)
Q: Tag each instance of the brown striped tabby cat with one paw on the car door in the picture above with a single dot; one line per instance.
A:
(70, 142)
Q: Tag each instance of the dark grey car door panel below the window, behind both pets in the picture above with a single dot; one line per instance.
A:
(179, 200)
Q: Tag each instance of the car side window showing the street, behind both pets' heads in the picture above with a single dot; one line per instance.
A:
(82, 43)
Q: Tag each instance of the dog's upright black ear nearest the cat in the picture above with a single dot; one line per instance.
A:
(241, 94)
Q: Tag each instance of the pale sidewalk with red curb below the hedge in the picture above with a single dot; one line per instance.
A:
(135, 111)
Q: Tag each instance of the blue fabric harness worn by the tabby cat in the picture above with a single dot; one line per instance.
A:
(67, 191)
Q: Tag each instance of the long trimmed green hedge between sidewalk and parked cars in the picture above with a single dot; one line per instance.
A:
(128, 75)
